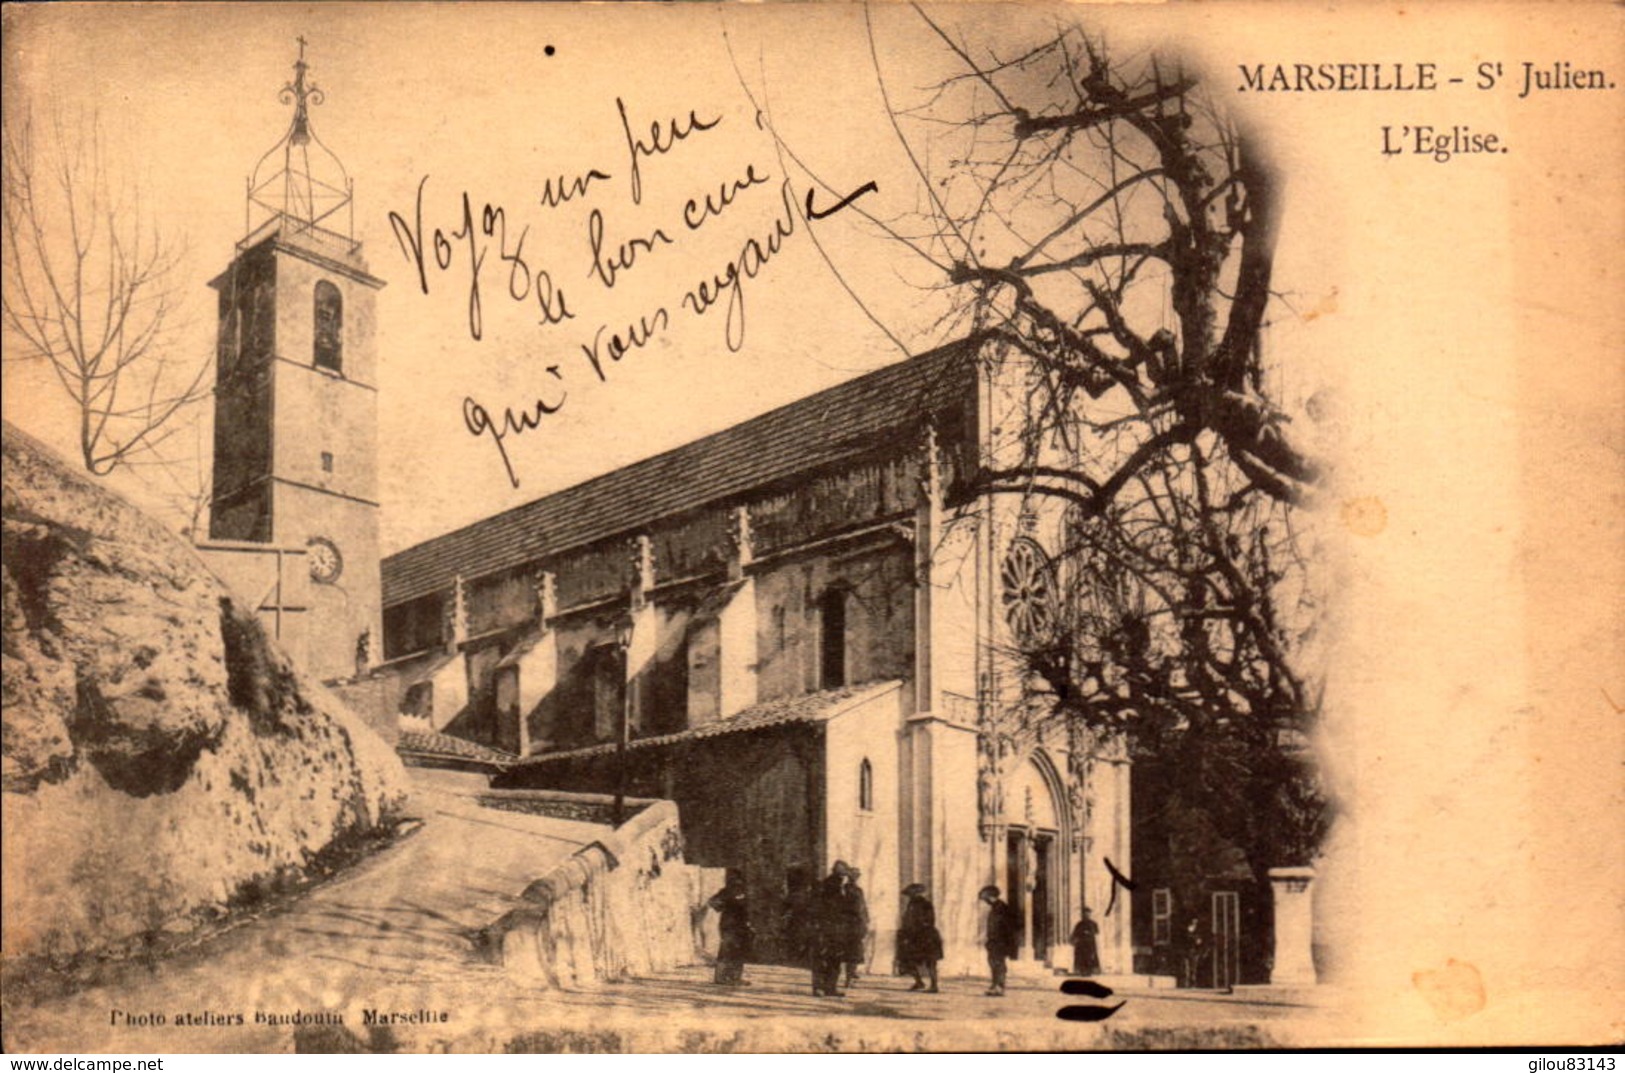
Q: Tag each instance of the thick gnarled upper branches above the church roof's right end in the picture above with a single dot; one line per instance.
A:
(1106, 220)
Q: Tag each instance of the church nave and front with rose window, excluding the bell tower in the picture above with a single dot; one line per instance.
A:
(802, 630)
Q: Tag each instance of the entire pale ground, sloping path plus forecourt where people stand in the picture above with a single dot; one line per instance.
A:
(391, 937)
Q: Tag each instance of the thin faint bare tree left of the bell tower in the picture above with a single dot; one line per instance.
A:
(87, 292)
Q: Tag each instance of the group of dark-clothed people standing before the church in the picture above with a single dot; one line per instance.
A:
(830, 927)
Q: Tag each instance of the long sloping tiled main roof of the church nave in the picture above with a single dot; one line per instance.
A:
(821, 430)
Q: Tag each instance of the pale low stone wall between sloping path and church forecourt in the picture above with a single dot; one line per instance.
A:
(623, 906)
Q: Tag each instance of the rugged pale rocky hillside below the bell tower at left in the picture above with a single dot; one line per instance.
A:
(162, 758)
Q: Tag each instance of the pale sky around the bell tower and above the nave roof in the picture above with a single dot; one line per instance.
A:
(498, 103)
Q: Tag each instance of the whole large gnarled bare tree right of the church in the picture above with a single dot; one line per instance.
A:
(1114, 232)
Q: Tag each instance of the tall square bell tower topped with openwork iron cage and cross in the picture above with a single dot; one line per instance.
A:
(297, 396)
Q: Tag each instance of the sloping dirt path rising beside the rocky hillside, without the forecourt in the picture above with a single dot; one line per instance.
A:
(391, 936)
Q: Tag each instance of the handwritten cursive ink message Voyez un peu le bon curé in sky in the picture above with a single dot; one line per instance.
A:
(485, 250)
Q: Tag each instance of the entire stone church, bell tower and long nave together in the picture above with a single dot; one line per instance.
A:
(802, 625)
